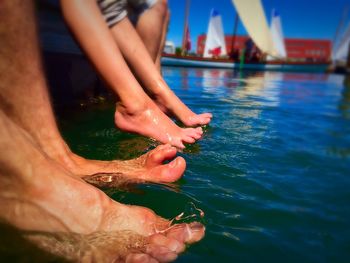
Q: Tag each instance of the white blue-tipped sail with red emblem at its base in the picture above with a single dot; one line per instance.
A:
(215, 42)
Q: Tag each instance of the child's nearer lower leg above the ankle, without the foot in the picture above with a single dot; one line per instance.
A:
(92, 32)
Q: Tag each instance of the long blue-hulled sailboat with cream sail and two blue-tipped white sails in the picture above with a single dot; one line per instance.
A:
(269, 40)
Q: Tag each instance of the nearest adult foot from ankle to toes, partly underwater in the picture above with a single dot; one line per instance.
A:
(62, 204)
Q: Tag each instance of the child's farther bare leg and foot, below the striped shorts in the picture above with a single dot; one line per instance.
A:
(143, 66)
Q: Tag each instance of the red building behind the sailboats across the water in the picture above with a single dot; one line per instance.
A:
(297, 49)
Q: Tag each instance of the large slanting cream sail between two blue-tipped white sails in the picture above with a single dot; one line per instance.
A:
(254, 20)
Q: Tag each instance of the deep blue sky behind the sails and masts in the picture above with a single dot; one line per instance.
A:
(300, 18)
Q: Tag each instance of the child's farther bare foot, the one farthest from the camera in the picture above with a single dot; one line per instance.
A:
(170, 103)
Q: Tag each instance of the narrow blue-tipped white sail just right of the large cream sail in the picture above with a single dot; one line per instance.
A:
(277, 34)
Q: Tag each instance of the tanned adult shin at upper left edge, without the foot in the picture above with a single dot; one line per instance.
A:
(23, 88)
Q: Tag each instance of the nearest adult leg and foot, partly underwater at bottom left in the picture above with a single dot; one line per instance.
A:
(36, 194)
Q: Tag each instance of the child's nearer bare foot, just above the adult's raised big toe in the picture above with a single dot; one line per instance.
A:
(152, 122)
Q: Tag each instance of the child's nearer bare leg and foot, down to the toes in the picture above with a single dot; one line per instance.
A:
(136, 112)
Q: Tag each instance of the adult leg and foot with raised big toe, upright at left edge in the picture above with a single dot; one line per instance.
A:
(24, 94)
